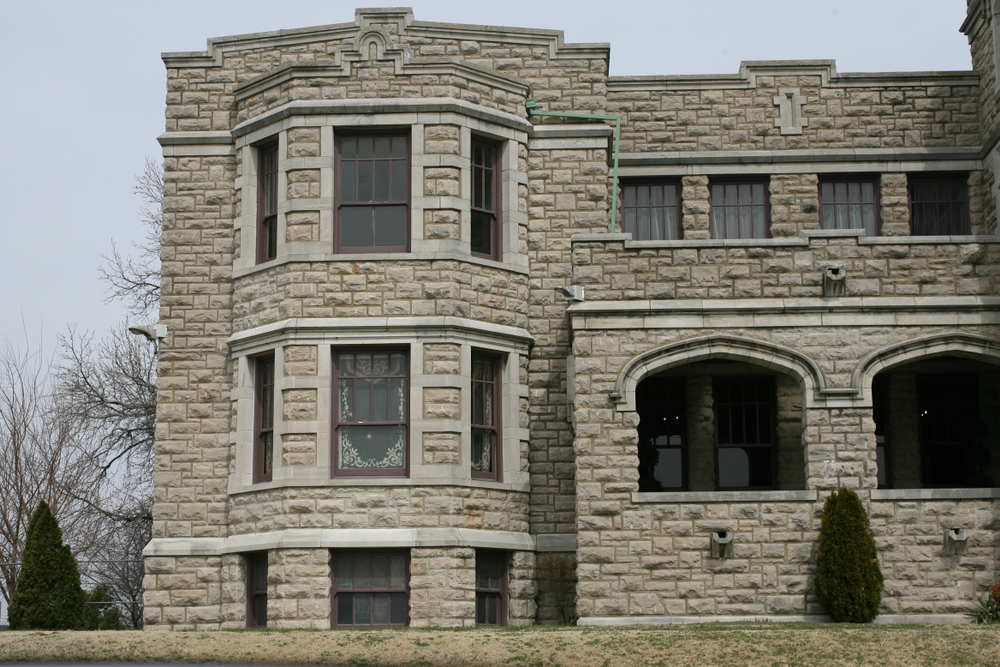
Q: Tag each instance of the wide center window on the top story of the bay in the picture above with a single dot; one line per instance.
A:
(373, 192)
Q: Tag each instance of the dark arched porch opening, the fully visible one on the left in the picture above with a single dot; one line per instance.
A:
(719, 425)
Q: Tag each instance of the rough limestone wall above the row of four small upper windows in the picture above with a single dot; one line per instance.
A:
(744, 120)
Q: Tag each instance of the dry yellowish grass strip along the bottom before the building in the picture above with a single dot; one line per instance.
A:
(713, 644)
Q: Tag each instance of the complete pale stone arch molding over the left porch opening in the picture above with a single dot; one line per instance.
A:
(734, 348)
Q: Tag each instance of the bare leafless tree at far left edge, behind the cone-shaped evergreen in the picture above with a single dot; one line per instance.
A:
(43, 456)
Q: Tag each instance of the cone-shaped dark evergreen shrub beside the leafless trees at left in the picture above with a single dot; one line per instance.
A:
(48, 594)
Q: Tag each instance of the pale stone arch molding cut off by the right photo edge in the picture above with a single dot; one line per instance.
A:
(954, 343)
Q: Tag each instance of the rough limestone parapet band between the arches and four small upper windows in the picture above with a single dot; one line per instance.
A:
(612, 272)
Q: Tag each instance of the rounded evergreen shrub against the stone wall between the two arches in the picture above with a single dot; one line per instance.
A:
(848, 576)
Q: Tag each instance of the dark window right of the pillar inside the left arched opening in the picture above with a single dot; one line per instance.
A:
(744, 431)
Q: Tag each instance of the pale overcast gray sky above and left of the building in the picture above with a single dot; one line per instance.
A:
(83, 89)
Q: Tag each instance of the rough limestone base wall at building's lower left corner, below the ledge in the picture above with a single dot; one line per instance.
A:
(183, 593)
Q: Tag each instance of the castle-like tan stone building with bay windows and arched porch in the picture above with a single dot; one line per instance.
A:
(462, 330)
